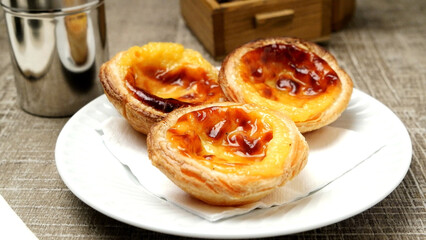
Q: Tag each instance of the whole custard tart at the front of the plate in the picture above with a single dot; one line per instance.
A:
(227, 153)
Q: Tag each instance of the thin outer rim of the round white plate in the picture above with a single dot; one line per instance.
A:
(234, 235)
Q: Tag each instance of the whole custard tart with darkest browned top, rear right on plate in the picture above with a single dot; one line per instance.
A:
(288, 75)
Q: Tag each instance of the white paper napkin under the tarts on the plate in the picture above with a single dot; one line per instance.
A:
(333, 152)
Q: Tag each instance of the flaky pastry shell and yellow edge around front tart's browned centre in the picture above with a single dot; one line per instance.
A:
(286, 155)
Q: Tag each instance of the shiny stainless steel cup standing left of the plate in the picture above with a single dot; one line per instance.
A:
(57, 47)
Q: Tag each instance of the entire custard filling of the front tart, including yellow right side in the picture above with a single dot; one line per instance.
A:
(233, 139)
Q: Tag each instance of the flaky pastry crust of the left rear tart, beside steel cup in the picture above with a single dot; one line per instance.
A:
(141, 116)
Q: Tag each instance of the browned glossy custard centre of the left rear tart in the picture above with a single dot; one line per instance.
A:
(192, 86)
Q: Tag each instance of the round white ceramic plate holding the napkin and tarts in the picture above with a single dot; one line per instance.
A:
(99, 180)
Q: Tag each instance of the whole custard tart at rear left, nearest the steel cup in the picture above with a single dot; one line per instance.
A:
(146, 83)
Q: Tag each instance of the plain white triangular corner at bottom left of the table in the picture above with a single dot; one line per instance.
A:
(12, 227)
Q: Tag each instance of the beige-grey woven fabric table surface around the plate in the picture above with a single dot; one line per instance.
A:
(383, 49)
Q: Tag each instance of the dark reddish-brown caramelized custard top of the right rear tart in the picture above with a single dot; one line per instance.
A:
(278, 69)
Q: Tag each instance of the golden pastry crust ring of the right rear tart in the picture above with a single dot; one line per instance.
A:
(235, 88)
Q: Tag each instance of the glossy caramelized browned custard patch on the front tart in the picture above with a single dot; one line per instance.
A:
(222, 137)
